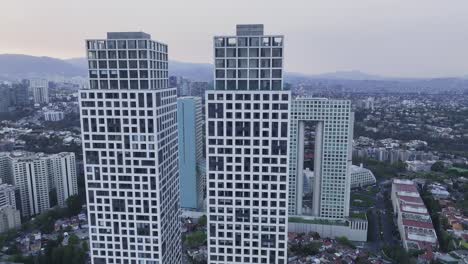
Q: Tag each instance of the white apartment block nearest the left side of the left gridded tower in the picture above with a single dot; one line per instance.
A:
(62, 176)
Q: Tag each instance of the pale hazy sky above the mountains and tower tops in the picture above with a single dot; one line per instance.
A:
(408, 38)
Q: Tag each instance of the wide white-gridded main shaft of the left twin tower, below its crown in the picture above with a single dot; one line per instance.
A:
(131, 169)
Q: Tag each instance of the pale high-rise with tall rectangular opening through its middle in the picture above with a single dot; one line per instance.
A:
(331, 192)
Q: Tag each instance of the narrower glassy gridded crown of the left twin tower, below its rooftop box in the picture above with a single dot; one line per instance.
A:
(137, 64)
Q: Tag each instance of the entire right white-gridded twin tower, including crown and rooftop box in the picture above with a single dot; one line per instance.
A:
(247, 150)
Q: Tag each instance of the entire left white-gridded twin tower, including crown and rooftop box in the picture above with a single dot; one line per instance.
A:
(129, 131)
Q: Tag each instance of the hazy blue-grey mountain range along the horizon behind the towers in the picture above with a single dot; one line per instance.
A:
(16, 66)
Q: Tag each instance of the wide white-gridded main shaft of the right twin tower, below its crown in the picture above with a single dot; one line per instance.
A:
(247, 169)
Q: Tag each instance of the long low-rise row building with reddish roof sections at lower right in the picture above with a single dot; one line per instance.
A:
(413, 220)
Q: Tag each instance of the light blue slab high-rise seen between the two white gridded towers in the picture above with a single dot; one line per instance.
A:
(192, 182)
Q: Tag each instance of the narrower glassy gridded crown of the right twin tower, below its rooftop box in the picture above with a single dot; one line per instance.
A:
(248, 63)
